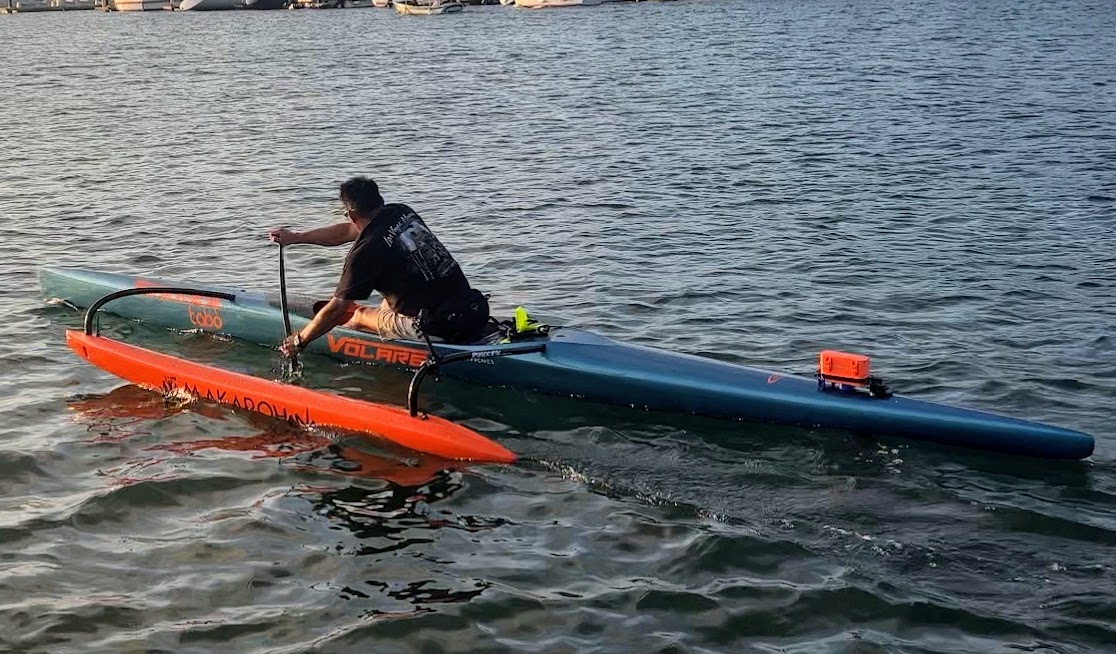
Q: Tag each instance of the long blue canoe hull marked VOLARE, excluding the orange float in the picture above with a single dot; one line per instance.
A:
(578, 363)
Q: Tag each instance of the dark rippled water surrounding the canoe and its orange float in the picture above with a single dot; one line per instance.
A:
(932, 182)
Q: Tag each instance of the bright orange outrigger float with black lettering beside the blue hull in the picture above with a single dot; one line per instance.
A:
(295, 405)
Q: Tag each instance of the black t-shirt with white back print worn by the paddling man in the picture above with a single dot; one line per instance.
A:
(399, 256)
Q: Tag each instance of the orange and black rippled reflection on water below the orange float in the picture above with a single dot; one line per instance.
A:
(377, 503)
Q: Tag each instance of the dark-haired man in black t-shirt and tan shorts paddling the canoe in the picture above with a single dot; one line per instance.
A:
(395, 254)
